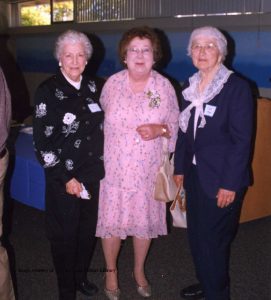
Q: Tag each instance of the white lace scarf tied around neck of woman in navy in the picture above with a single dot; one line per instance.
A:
(191, 94)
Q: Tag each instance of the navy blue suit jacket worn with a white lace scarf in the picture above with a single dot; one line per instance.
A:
(223, 146)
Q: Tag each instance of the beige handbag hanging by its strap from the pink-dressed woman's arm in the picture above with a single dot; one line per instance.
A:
(165, 188)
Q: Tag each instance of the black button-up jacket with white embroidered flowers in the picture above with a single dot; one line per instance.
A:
(68, 129)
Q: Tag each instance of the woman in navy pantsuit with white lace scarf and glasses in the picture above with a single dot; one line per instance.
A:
(212, 160)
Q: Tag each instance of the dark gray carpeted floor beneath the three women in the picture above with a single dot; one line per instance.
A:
(169, 266)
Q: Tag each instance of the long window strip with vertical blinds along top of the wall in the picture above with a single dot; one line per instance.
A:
(46, 12)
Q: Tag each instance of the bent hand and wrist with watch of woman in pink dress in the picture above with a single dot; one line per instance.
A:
(152, 131)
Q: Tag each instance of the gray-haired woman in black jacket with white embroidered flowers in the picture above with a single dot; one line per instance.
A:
(68, 140)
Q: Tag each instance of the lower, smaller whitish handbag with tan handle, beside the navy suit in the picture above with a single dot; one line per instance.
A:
(178, 209)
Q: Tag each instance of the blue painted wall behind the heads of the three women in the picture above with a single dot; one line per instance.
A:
(252, 55)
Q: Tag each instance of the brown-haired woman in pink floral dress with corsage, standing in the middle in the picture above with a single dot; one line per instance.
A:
(140, 111)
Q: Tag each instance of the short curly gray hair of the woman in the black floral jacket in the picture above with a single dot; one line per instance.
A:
(72, 36)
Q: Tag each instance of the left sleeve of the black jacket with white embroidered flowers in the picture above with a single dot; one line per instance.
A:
(44, 119)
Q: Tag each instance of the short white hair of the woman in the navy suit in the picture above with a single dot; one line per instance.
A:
(212, 32)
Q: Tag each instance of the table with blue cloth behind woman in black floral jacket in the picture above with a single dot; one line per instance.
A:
(27, 184)
